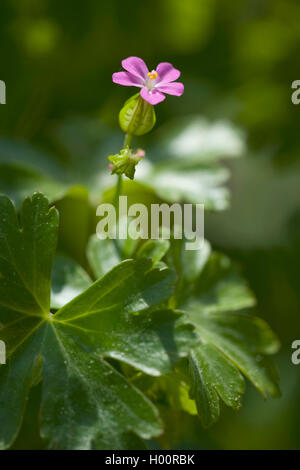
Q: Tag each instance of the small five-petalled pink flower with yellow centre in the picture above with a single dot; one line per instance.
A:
(153, 84)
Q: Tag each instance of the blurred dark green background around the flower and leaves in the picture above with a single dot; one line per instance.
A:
(238, 60)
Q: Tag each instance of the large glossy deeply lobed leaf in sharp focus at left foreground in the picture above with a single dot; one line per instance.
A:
(86, 403)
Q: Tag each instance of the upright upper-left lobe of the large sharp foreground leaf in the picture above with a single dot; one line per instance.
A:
(26, 257)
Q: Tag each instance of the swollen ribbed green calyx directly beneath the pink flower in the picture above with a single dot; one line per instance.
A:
(137, 117)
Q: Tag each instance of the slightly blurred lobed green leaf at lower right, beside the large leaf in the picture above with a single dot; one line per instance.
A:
(231, 341)
